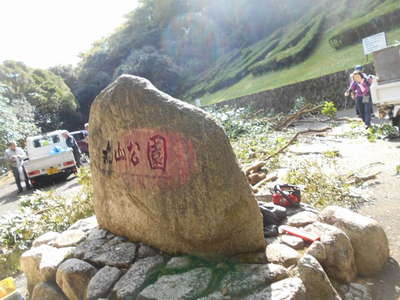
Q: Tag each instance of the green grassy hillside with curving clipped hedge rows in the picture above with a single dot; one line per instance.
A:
(325, 40)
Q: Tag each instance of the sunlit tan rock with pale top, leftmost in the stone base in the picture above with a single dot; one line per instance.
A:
(30, 262)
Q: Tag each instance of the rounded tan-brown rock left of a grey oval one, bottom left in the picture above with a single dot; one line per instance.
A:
(73, 277)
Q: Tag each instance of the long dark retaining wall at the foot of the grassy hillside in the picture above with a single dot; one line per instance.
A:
(326, 88)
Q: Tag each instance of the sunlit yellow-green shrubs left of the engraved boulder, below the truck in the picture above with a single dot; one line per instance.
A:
(41, 212)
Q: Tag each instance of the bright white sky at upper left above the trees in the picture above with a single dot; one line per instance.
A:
(44, 33)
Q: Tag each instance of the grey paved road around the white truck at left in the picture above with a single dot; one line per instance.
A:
(9, 198)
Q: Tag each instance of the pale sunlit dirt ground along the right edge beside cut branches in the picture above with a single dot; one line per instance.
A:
(383, 194)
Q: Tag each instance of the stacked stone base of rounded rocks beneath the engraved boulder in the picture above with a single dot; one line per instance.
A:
(86, 262)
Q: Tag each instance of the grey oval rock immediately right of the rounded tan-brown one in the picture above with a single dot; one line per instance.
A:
(101, 283)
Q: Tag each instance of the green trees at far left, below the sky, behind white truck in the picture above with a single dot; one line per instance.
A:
(47, 93)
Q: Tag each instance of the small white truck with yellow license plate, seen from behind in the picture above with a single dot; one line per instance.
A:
(48, 157)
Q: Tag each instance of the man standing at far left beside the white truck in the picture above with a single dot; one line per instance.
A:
(14, 157)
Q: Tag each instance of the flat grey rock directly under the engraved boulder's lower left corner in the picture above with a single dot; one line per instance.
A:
(120, 255)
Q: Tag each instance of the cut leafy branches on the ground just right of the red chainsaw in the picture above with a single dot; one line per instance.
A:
(322, 188)
